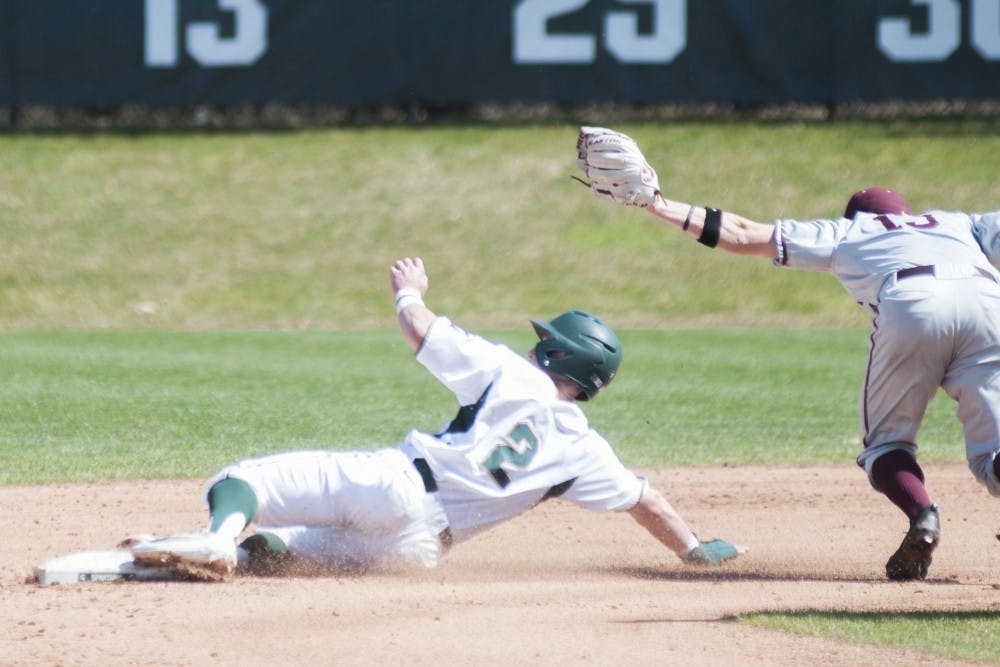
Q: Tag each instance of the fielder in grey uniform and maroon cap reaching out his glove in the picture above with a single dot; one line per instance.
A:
(930, 284)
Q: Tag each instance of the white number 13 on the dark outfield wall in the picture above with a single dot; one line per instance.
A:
(204, 40)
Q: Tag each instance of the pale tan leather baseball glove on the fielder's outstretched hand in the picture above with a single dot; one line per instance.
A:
(615, 167)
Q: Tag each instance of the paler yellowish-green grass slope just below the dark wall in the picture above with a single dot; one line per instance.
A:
(296, 230)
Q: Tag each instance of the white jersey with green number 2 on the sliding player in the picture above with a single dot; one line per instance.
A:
(514, 442)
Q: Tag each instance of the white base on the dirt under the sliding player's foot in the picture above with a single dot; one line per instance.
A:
(115, 565)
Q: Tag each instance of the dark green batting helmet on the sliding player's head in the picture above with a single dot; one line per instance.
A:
(579, 346)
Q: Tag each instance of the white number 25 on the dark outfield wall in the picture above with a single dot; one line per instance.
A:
(533, 44)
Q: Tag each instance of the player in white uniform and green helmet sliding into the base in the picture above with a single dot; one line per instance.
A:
(518, 439)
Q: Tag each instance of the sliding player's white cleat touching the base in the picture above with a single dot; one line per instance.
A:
(207, 553)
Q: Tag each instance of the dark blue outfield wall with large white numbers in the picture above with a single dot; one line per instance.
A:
(107, 53)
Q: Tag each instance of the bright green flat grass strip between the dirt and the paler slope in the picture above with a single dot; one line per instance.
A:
(147, 404)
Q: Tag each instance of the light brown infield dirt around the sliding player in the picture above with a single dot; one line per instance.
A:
(559, 585)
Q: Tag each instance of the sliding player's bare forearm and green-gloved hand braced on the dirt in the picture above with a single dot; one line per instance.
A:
(658, 516)
